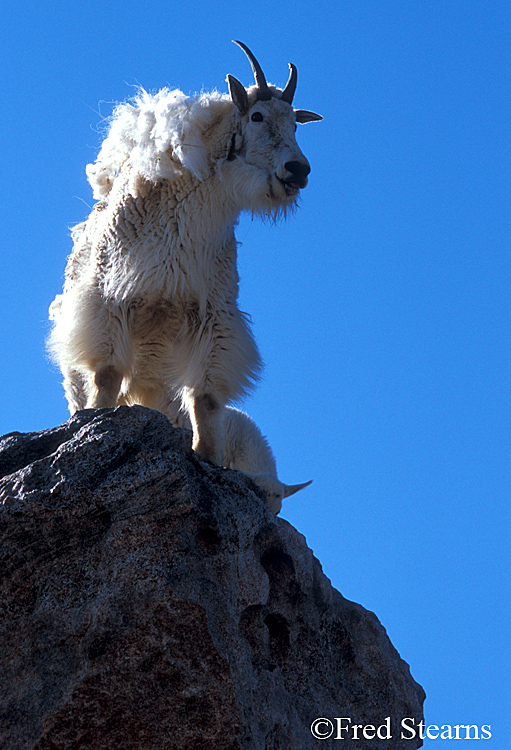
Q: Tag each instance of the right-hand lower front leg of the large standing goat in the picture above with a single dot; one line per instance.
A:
(207, 417)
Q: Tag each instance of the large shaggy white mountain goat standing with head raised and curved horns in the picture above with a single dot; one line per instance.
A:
(149, 310)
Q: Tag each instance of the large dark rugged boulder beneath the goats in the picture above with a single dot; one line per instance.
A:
(152, 601)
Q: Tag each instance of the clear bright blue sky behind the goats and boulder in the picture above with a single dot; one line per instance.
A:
(381, 308)
